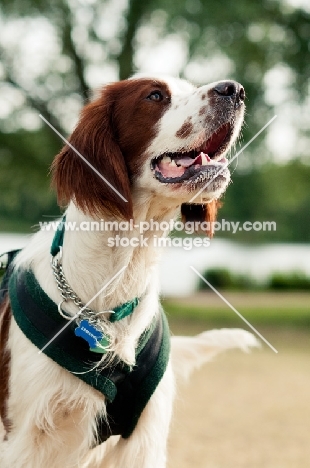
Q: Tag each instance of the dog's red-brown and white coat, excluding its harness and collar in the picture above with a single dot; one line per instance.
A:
(158, 141)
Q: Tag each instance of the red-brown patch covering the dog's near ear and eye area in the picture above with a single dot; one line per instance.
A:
(112, 134)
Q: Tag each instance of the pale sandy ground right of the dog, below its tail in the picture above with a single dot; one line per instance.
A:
(247, 411)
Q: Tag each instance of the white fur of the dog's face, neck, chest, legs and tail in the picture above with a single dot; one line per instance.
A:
(53, 413)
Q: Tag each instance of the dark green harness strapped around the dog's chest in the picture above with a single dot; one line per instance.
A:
(126, 389)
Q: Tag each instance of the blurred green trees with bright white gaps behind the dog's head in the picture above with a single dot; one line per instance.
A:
(54, 53)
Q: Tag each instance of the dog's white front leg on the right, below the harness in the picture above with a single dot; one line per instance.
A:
(147, 446)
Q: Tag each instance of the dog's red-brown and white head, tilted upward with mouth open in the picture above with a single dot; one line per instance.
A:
(158, 135)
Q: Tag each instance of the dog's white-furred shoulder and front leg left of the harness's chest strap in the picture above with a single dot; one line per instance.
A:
(52, 413)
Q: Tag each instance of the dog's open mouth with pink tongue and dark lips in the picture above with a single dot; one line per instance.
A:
(198, 163)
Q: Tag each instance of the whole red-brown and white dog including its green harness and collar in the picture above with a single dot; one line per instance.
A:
(141, 150)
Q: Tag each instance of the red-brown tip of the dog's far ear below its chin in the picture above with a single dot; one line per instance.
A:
(201, 213)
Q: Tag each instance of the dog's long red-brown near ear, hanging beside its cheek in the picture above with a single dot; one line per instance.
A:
(76, 180)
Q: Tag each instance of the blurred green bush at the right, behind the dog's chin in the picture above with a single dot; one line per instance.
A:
(279, 193)
